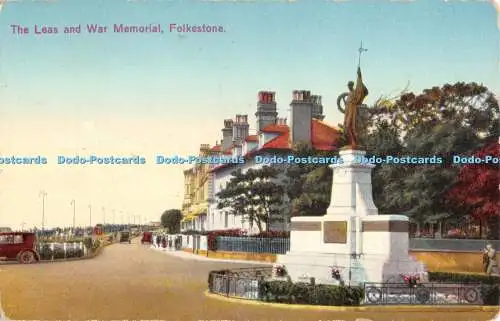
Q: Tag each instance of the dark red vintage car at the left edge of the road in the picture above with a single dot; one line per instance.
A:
(20, 246)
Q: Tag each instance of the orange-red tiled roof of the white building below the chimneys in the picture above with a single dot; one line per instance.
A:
(323, 137)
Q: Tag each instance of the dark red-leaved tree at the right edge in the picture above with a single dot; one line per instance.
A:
(476, 189)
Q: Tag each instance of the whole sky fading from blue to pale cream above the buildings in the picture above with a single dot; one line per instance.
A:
(148, 94)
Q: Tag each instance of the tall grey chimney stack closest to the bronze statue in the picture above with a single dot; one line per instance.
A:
(301, 109)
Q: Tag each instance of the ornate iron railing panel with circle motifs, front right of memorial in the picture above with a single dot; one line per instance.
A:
(424, 293)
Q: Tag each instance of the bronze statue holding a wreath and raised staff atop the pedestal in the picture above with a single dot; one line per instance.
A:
(352, 100)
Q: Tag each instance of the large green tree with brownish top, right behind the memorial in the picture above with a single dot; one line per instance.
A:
(442, 121)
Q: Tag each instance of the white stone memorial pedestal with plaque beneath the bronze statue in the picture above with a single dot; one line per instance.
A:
(352, 237)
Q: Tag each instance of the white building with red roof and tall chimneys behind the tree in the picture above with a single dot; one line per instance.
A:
(274, 137)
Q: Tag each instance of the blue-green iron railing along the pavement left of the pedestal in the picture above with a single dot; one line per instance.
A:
(253, 244)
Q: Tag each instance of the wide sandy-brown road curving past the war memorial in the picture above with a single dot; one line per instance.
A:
(134, 282)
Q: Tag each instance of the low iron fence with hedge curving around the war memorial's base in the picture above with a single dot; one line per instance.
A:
(253, 284)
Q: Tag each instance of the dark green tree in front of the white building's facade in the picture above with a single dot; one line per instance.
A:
(255, 195)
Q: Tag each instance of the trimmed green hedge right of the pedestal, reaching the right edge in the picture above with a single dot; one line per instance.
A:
(490, 285)
